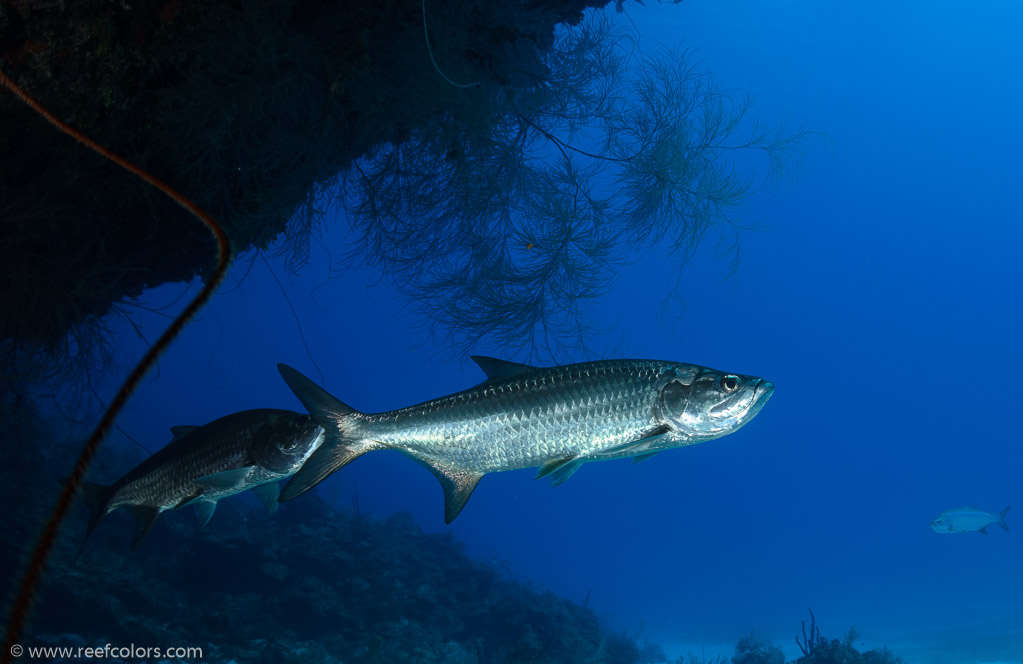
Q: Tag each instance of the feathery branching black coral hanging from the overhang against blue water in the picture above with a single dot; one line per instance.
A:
(510, 231)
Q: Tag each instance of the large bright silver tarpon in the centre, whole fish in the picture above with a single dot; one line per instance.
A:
(555, 418)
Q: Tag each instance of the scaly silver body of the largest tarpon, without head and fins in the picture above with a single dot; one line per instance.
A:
(524, 421)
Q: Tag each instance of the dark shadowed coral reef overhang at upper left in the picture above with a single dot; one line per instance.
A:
(244, 108)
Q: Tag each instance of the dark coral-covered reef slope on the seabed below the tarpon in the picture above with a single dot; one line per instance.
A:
(307, 585)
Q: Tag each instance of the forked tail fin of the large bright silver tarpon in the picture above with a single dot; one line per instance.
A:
(338, 450)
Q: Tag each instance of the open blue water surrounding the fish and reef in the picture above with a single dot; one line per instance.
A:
(883, 301)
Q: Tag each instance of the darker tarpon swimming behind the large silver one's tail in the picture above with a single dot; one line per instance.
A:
(252, 450)
